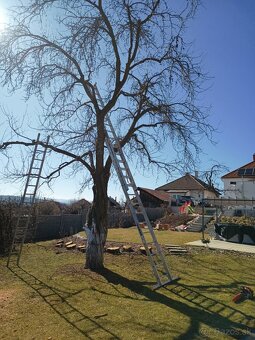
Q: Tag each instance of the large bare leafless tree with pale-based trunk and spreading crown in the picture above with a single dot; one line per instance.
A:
(135, 51)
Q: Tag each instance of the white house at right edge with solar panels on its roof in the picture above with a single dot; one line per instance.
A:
(240, 183)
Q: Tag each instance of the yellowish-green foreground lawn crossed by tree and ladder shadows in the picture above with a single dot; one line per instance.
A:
(51, 296)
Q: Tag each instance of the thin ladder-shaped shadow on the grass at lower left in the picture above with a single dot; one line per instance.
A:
(86, 325)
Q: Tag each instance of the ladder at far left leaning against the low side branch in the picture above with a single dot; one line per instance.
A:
(23, 229)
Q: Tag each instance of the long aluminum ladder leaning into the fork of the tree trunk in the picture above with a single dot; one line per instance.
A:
(157, 259)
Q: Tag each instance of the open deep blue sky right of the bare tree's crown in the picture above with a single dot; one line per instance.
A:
(224, 33)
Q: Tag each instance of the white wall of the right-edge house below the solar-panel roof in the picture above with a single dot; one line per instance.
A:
(243, 188)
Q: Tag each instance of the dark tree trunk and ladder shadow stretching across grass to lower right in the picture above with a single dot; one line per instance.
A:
(201, 310)
